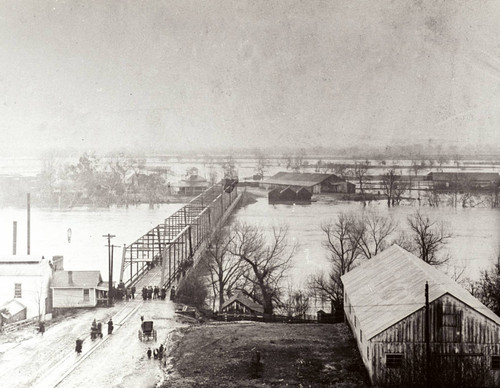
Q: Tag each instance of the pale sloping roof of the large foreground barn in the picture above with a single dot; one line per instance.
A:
(391, 285)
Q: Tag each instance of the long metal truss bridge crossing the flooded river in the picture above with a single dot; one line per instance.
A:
(164, 254)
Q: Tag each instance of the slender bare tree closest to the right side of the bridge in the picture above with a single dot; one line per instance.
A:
(225, 269)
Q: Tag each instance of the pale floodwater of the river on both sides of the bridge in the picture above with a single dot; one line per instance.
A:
(476, 232)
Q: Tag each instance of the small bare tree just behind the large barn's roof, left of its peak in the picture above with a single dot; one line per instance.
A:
(376, 231)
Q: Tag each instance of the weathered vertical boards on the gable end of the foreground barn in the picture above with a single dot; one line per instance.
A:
(455, 330)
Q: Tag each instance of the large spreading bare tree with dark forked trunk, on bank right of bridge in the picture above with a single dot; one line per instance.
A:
(266, 263)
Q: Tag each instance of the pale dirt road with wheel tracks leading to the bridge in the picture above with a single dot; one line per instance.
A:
(118, 360)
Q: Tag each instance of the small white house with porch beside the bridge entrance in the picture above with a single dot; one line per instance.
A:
(73, 289)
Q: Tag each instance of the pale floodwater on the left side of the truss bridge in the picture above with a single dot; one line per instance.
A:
(87, 249)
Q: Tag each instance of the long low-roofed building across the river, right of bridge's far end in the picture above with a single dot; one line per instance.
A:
(314, 182)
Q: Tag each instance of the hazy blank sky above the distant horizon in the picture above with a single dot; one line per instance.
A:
(164, 75)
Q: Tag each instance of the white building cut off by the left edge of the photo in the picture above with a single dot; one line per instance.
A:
(26, 278)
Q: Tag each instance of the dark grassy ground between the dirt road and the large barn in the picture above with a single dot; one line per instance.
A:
(227, 354)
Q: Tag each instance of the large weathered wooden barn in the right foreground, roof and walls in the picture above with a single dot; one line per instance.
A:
(384, 303)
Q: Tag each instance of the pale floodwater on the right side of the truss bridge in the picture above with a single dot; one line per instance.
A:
(473, 246)
